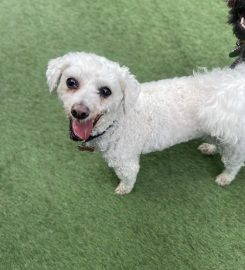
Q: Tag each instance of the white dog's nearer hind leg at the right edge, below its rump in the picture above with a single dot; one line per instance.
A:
(233, 158)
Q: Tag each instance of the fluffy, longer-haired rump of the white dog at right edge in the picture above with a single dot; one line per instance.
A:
(222, 113)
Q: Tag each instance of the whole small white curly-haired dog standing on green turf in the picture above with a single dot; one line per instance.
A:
(111, 111)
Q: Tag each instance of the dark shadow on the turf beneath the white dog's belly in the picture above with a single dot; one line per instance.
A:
(176, 168)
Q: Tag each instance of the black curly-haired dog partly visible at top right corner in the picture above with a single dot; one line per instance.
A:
(237, 20)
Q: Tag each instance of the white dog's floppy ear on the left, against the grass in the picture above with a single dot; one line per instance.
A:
(54, 71)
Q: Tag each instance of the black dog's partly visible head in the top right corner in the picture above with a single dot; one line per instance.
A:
(237, 17)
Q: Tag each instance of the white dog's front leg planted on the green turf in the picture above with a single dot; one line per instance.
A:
(127, 172)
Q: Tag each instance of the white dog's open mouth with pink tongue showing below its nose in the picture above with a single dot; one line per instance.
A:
(81, 130)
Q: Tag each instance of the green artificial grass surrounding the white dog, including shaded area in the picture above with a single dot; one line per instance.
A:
(58, 209)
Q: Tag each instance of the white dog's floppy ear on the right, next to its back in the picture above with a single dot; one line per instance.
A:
(130, 88)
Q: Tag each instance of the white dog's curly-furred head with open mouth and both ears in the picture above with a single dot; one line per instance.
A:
(95, 91)
